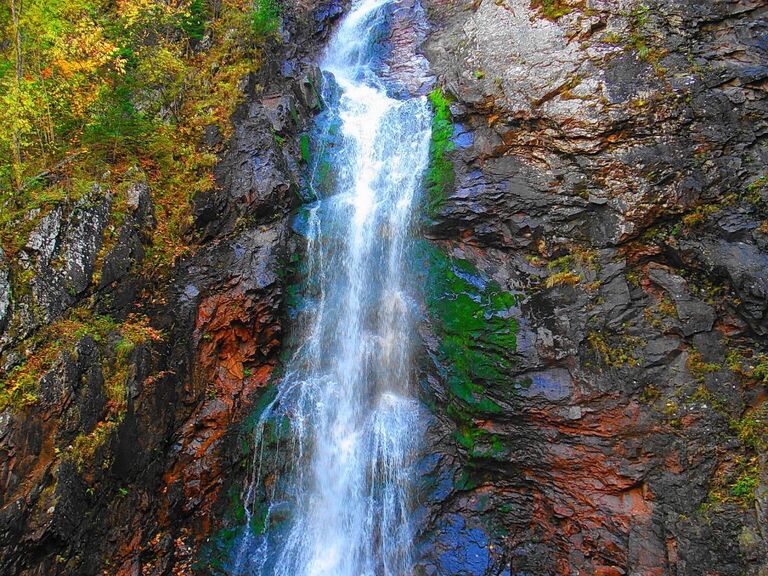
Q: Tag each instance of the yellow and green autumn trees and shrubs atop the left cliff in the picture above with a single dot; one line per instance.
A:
(90, 90)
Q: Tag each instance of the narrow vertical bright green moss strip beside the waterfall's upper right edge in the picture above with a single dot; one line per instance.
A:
(440, 174)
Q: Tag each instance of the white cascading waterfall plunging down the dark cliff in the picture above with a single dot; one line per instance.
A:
(332, 497)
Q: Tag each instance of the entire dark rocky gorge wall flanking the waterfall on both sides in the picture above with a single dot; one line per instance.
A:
(596, 308)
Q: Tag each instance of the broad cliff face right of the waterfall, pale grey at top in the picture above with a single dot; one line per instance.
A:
(609, 167)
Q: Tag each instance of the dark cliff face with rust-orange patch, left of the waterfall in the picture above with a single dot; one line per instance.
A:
(128, 388)
